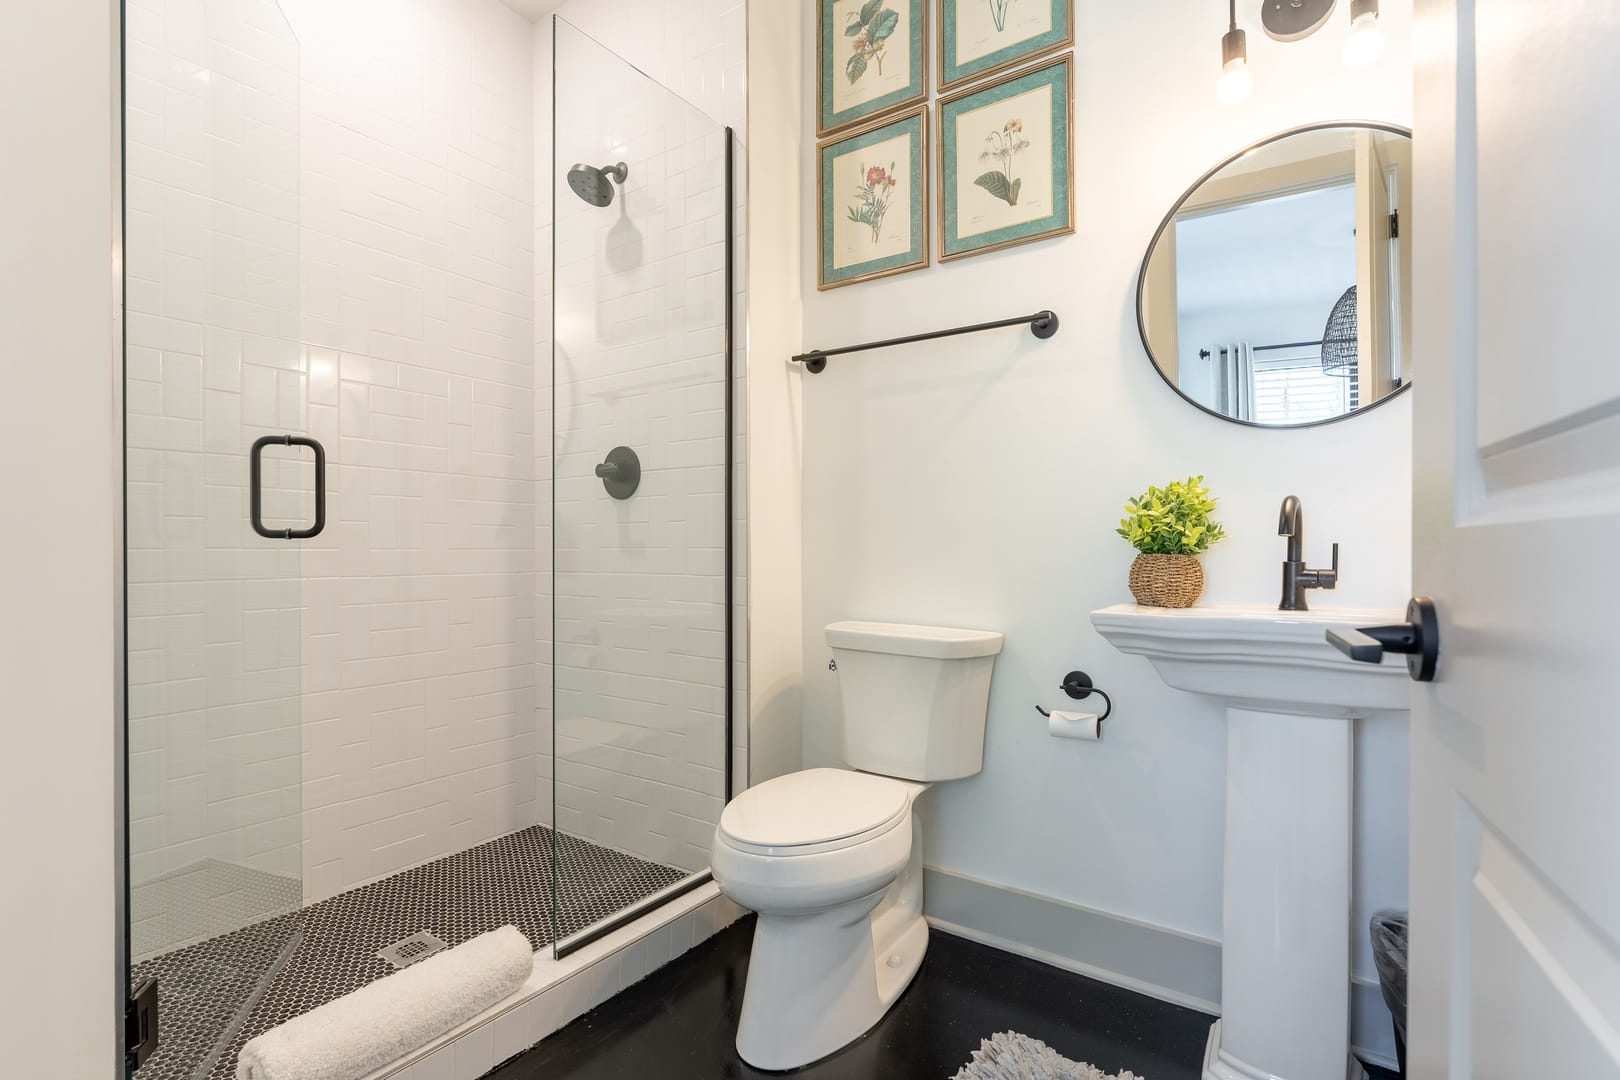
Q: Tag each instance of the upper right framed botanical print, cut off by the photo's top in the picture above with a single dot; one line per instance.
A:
(981, 38)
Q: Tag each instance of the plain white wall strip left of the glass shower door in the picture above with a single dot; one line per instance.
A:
(61, 540)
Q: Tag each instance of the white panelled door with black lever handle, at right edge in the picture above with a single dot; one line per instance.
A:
(1516, 967)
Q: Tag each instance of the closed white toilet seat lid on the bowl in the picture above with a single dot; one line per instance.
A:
(814, 812)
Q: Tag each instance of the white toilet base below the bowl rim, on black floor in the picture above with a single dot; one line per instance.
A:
(821, 982)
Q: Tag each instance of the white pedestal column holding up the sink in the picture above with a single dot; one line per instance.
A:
(1285, 953)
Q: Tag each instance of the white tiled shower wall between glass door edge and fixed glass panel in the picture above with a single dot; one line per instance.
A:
(420, 632)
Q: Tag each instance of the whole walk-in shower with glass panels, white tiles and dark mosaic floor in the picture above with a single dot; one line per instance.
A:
(430, 514)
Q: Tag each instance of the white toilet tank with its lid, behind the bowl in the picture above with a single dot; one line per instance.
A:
(914, 697)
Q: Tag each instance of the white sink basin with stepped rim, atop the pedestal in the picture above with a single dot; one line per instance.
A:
(1261, 658)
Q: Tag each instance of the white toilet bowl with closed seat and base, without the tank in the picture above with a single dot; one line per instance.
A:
(832, 861)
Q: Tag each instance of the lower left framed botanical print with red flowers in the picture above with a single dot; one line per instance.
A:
(872, 192)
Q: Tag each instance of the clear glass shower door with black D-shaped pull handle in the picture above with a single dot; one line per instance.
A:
(215, 655)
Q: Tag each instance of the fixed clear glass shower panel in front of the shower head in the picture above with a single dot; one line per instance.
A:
(641, 367)
